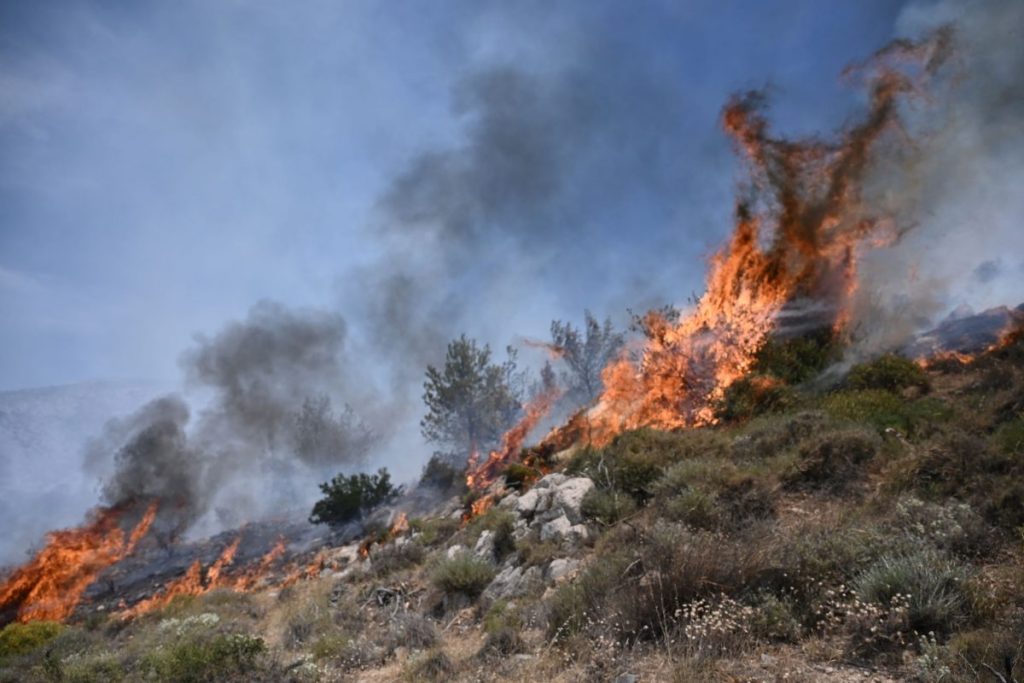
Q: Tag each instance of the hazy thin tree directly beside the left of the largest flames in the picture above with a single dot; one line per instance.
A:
(585, 353)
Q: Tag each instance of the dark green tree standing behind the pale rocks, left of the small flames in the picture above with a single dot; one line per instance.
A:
(472, 401)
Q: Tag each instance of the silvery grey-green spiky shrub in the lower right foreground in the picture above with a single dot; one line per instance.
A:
(934, 586)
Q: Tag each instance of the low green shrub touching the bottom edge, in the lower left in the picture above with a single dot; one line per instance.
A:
(209, 660)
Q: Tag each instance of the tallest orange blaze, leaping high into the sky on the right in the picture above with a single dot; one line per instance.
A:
(798, 237)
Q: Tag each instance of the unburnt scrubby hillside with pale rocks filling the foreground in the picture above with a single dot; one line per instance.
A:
(867, 531)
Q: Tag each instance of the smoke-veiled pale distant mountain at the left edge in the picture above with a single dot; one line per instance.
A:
(42, 432)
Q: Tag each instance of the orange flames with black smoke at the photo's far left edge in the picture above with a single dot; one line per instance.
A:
(51, 586)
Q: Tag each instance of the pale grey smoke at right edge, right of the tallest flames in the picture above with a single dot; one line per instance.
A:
(959, 187)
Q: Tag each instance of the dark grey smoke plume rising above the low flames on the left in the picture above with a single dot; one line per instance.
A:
(268, 433)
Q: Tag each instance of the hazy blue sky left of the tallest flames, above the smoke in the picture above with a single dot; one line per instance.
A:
(164, 166)
